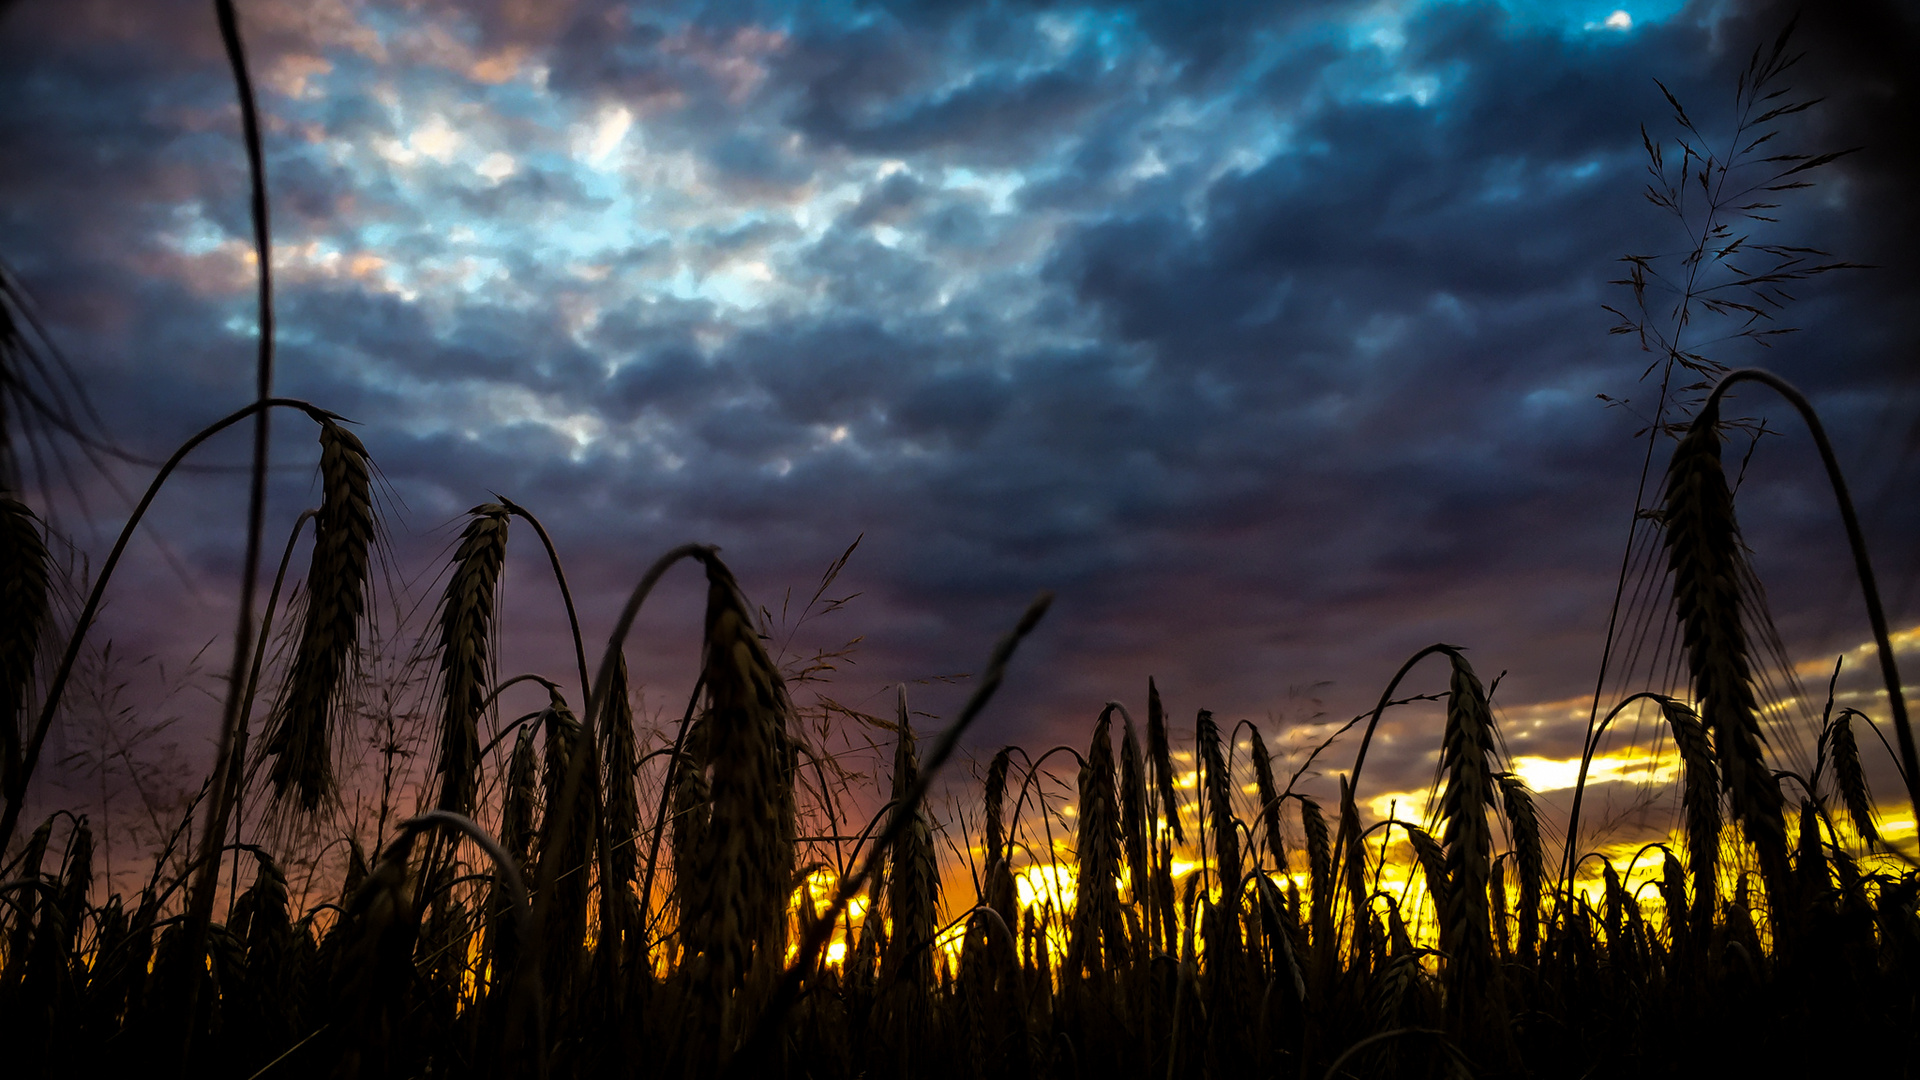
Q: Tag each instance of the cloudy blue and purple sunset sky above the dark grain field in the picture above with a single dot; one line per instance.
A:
(1270, 337)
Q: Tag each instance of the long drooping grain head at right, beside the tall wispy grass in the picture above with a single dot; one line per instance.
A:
(1708, 566)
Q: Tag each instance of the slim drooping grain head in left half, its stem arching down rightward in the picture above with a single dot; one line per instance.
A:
(466, 641)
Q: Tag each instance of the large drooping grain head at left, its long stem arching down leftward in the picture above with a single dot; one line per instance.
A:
(304, 729)
